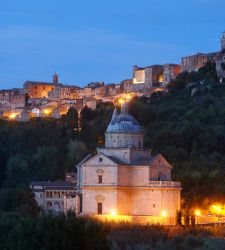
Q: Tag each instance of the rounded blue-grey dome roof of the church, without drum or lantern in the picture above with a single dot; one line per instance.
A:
(124, 123)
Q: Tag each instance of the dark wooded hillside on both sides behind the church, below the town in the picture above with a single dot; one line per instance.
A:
(185, 124)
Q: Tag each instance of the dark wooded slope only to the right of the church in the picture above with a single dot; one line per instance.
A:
(187, 126)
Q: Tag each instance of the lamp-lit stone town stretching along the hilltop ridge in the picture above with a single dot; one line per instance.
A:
(53, 99)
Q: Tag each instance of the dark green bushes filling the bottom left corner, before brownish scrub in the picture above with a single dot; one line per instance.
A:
(48, 233)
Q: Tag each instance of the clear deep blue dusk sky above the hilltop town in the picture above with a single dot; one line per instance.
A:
(100, 40)
